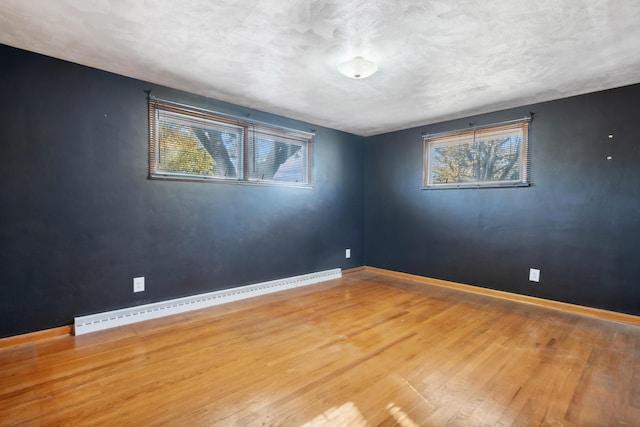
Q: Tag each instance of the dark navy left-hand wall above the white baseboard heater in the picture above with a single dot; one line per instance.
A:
(79, 218)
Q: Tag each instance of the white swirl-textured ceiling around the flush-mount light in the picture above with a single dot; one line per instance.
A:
(438, 59)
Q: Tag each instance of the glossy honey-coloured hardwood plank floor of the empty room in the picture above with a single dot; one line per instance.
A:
(365, 350)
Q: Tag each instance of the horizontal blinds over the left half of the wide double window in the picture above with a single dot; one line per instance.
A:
(193, 144)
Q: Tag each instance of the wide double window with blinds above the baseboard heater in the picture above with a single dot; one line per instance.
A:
(187, 143)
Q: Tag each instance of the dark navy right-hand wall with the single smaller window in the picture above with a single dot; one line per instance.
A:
(579, 222)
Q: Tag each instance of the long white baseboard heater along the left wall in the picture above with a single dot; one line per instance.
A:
(126, 316)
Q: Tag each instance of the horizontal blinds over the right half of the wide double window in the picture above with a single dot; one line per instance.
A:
(278, 155)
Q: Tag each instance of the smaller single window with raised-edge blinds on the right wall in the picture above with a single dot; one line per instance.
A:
(493, 156)
